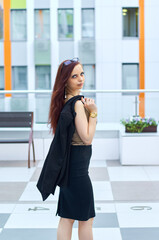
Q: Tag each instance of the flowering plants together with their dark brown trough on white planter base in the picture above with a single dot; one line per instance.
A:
(138, 124)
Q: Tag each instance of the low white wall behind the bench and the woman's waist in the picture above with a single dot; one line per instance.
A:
(102, 149)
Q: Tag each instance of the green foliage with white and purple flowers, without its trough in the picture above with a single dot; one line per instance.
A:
(137, 124)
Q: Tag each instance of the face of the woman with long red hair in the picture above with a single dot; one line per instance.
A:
(76, 79)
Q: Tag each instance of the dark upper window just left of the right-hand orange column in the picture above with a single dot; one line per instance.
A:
(130, 22)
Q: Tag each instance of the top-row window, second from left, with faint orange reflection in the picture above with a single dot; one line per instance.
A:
(42, 24)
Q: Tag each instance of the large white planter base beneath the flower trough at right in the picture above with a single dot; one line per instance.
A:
(139, 148)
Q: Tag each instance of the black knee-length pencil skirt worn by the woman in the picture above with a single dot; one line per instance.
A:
(76, 201)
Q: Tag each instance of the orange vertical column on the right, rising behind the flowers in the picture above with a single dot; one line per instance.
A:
(141, 59)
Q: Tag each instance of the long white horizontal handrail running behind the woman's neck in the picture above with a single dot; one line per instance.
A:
(83, 91)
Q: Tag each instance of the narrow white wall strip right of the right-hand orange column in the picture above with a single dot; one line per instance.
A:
(152, 56)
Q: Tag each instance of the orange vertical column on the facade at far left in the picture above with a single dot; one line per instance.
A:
(7, 47)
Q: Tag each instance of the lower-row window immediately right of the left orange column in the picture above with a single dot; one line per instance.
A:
(19, 78)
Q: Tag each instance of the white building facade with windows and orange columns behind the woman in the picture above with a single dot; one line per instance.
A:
(116, 41)
